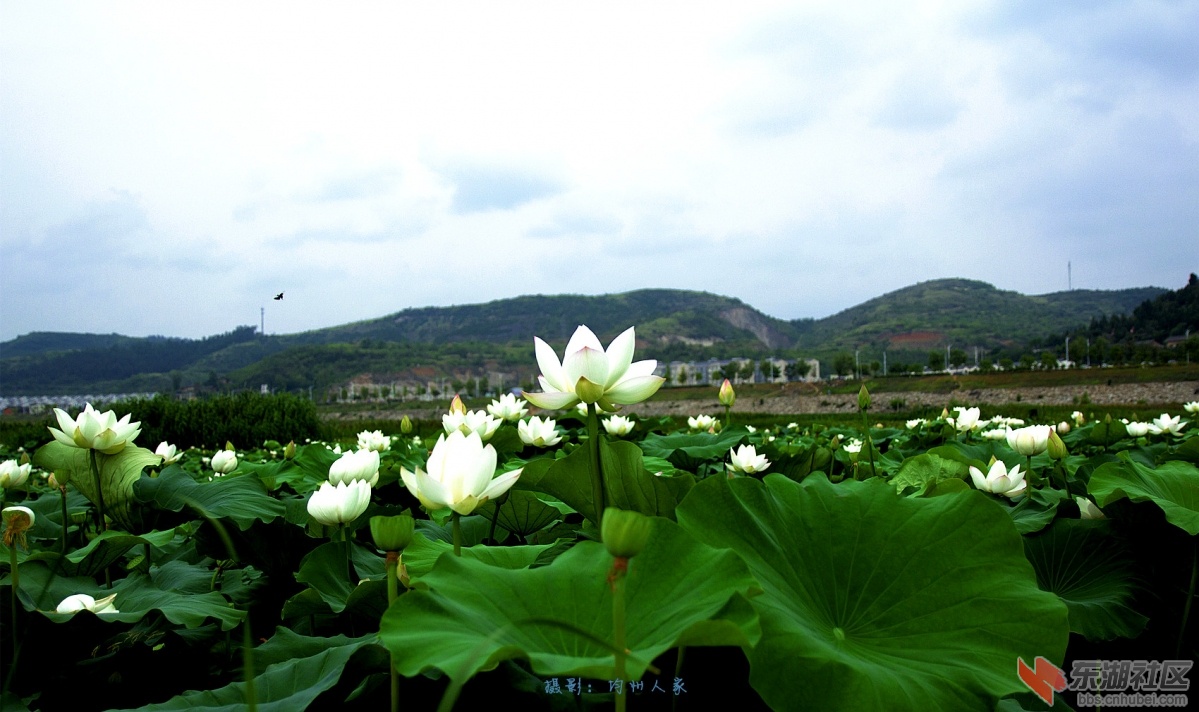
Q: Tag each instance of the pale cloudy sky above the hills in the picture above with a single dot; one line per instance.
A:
(167, 168)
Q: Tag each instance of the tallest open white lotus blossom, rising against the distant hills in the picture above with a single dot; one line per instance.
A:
(591, 375)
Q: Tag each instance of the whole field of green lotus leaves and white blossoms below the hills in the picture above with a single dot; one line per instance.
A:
(581, 559)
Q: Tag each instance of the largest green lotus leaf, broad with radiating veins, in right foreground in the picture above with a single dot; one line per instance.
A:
(879, 602)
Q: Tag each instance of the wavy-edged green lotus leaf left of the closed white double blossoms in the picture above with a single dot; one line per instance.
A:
(240, 498)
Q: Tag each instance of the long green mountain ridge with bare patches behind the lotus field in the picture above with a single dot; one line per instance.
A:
(420, 343)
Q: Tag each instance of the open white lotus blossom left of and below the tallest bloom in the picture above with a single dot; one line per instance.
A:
(460, 475)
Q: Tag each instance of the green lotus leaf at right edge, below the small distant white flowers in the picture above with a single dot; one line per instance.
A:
(1172, 486)
